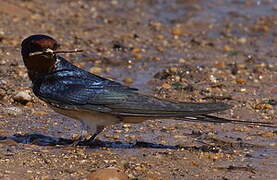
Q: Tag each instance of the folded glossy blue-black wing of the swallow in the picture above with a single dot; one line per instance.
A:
(67, 88)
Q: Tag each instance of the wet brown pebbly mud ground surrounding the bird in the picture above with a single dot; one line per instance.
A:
(195, 50)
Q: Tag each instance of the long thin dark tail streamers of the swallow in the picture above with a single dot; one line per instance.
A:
(214, 119)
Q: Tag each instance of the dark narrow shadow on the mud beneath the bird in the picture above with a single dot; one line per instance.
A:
(44, 140)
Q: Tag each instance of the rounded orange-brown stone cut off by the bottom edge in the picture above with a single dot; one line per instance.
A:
(107, 174)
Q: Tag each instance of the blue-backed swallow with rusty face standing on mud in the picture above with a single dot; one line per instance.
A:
(96, 101)
